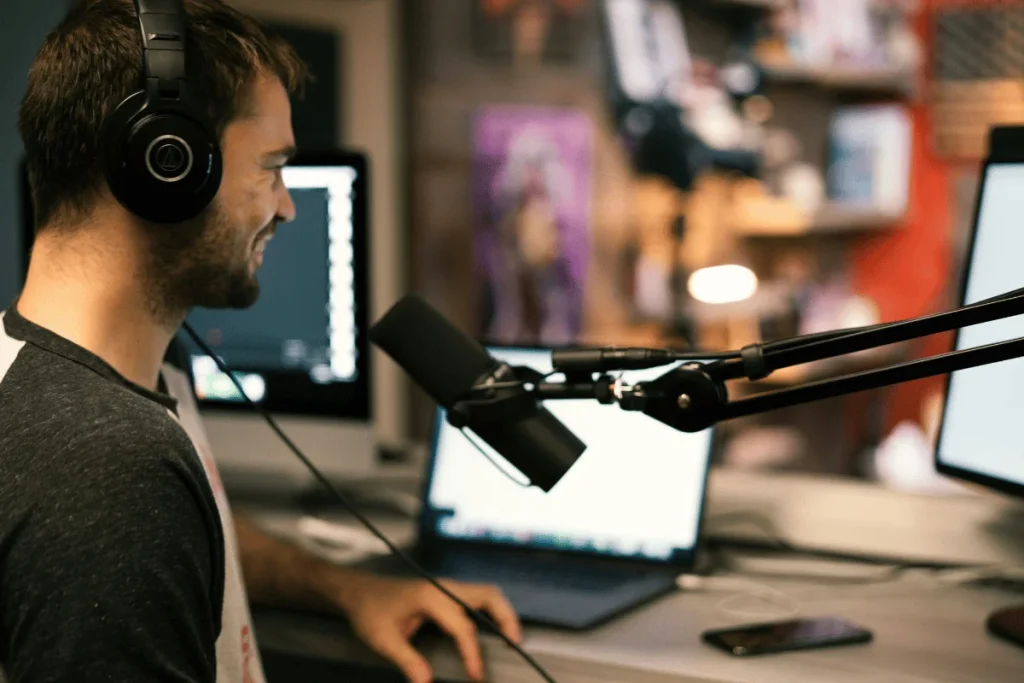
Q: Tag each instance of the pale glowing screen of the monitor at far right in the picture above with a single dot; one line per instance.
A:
(982, 439)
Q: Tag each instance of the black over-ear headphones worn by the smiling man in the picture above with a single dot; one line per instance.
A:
(161, 155)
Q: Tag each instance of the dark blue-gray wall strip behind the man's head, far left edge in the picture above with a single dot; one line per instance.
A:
(22, 32)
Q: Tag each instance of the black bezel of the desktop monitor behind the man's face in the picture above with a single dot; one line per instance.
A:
(347, 400)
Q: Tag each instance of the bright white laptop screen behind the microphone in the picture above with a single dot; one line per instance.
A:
(637, 491)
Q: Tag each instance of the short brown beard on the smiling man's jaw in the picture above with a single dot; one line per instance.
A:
(200, 264)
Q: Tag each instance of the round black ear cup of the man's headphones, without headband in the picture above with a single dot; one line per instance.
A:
(162, 164)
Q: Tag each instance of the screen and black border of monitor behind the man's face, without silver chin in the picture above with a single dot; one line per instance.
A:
(302, 348)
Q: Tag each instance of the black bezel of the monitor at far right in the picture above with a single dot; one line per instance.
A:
(1003, 486)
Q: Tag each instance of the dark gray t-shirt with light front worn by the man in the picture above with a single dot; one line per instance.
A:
(117, 551)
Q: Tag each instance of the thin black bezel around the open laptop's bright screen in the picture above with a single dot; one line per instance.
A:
(431, 539)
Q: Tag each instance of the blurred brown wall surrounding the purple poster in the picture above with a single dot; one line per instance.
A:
(450, 80)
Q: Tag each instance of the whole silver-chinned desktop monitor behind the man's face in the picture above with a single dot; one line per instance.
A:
(302, 351)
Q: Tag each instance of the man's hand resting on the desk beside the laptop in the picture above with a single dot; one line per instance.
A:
(388, 613)
